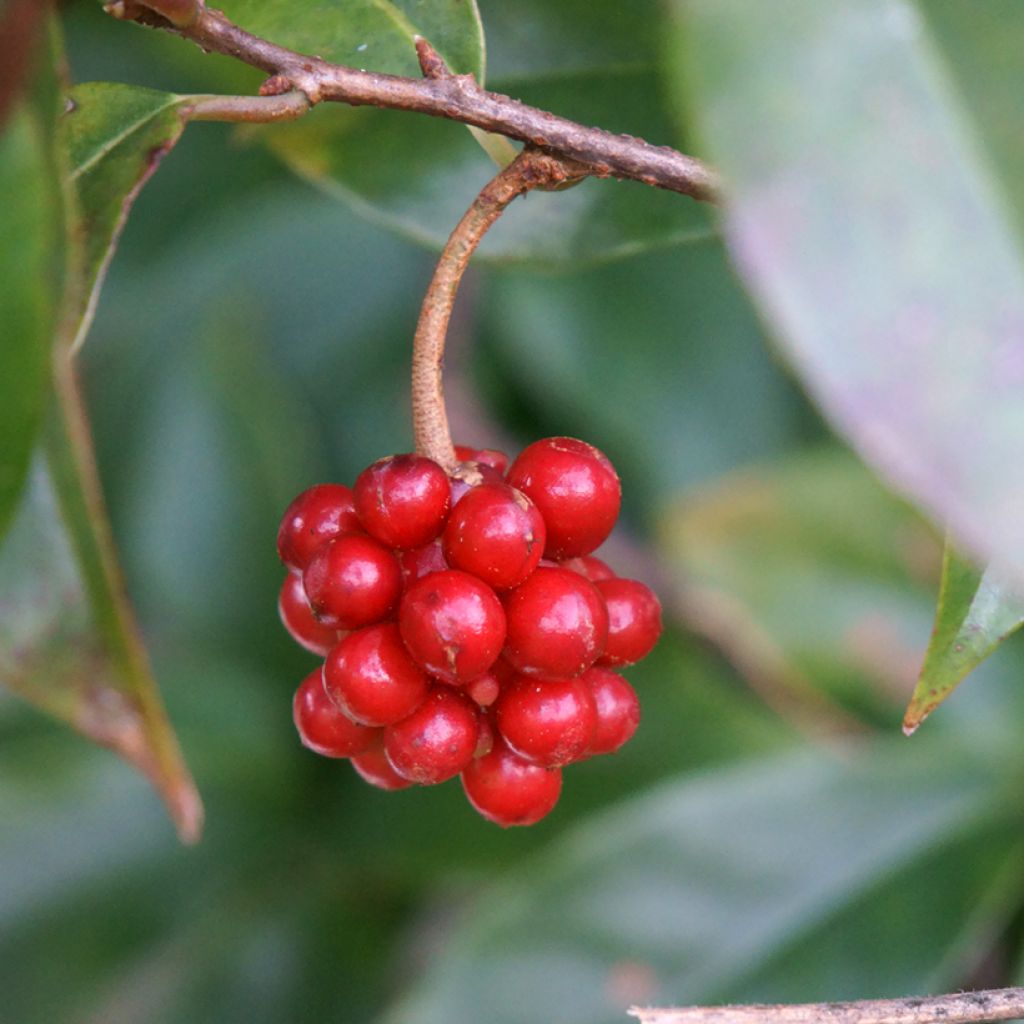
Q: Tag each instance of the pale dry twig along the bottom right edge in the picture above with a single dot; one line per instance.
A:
(962, 1008)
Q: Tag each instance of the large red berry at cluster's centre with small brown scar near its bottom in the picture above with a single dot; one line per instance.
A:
(453, 625)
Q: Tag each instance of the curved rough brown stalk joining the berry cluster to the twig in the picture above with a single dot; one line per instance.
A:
(534, 168)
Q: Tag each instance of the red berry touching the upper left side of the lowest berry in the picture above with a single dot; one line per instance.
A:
(438, 741)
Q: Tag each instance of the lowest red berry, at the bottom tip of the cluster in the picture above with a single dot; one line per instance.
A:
(509, 791)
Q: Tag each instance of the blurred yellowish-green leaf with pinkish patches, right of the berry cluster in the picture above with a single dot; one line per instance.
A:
(812, 577)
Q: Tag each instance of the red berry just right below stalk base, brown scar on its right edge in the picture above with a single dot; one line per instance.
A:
(497, 534)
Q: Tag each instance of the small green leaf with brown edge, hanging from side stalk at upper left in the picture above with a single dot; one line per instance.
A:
(114, 138)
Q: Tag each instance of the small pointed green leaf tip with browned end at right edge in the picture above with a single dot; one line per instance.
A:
(976, 613)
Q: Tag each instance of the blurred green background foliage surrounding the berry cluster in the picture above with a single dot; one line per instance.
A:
(766, 836)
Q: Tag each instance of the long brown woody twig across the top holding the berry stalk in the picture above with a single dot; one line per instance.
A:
(457, 98)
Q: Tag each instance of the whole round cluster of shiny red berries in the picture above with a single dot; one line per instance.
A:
(466, 627)
